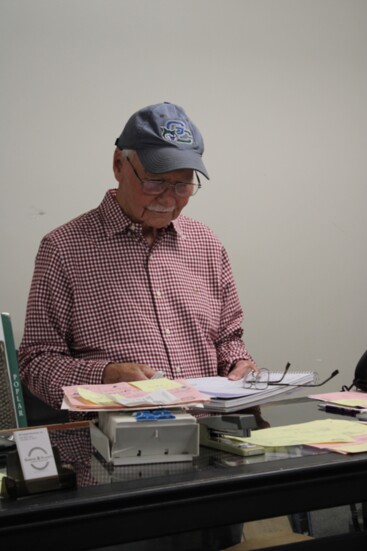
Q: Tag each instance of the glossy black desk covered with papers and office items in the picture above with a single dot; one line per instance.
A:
(129, 503)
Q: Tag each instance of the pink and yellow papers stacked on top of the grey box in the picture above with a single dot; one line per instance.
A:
(148, 393)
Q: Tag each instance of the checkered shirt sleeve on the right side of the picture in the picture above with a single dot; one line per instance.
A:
(229, 344)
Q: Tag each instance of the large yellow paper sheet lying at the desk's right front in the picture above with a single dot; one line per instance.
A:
(322, 431)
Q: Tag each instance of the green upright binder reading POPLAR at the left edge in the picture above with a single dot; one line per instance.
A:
(12, 410)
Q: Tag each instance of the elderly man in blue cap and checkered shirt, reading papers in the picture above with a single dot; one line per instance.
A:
(134, 286)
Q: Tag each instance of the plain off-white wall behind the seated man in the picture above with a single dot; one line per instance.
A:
(277, 87)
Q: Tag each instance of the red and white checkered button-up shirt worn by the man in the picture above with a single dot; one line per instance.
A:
(99, 294)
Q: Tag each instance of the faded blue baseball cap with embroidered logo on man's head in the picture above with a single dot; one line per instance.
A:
(164, 138)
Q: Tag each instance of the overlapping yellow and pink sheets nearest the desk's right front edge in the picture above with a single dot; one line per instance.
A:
(336, 435)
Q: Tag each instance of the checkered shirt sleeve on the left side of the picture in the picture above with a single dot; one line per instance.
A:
(46, 359)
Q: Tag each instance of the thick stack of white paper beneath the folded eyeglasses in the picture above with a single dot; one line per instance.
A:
(228, 396)
